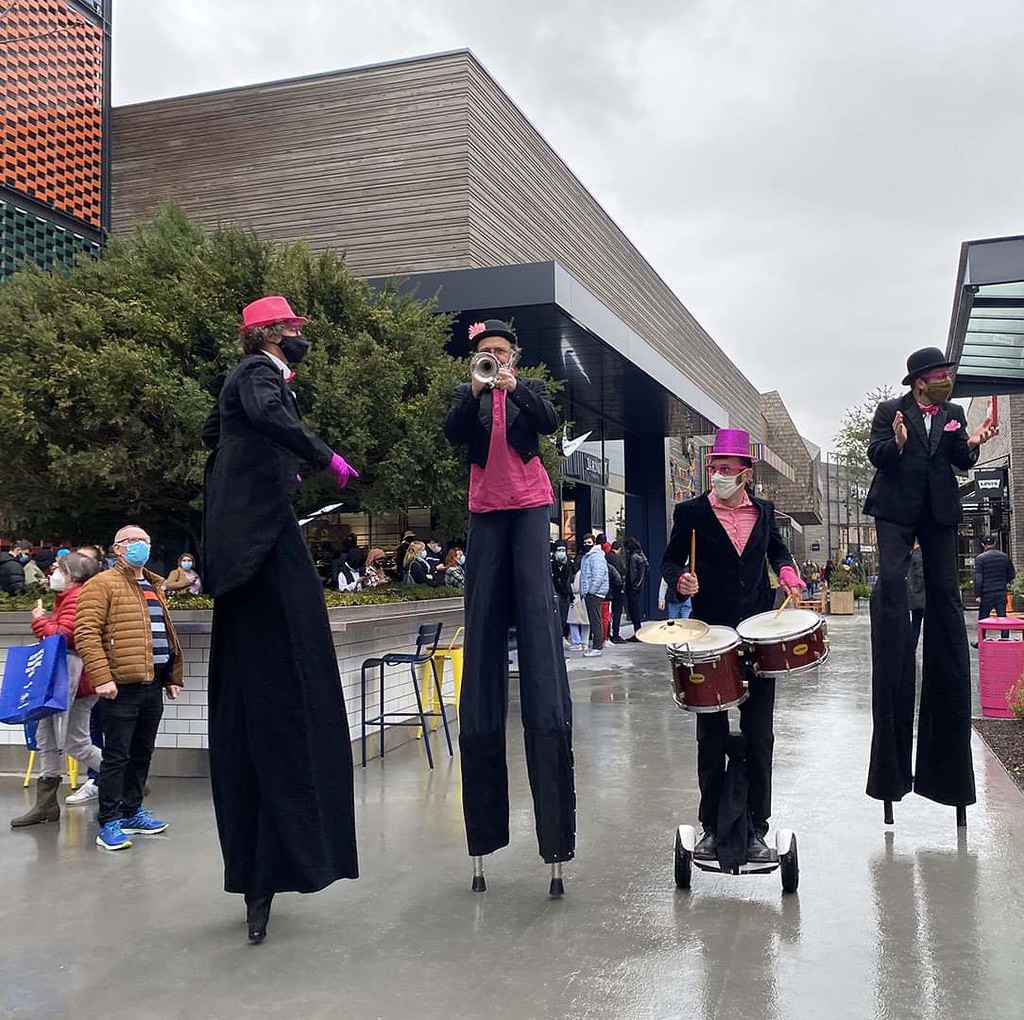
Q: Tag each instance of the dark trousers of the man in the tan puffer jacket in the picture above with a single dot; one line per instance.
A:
(131, 724)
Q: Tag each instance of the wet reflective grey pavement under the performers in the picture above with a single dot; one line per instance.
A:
(907, 923)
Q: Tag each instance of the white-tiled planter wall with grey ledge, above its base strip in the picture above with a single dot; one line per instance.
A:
(185, 724)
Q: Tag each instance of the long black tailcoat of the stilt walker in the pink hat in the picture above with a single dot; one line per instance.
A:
(259, 443)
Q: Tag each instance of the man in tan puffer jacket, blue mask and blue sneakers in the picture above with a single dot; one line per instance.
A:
(124, 634)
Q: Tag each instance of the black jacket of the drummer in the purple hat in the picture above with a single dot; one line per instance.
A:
(733, 587)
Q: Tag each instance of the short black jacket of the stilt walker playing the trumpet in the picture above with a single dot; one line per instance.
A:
(530, 414)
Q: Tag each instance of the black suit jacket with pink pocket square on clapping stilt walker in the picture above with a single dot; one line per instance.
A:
(921, 478)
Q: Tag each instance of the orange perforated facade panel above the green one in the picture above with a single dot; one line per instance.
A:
(52, 89)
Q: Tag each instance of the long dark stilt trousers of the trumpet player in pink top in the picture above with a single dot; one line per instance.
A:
(508, 581)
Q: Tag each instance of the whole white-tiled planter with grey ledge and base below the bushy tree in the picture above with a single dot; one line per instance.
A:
(360, 632)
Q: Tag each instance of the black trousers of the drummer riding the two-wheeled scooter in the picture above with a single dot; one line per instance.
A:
(713, 732)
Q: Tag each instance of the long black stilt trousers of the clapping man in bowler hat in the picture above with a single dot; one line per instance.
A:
(945, 770)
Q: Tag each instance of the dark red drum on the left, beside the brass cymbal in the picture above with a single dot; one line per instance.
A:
(707, 673)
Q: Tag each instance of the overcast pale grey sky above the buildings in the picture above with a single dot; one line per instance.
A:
(801, 173)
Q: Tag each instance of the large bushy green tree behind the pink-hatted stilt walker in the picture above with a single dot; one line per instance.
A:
(108, 373)
